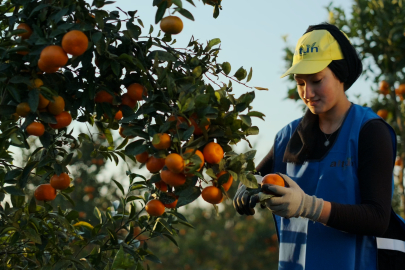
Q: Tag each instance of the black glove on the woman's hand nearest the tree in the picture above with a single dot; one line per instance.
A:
(246, 199)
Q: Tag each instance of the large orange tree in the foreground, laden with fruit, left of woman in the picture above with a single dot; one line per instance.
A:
(66, 62)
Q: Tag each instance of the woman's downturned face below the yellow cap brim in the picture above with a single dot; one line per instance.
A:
(321, 91)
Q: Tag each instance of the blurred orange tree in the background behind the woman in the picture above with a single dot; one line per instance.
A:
(376, 29)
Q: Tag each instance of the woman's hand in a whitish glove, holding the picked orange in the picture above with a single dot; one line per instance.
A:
(292, 201)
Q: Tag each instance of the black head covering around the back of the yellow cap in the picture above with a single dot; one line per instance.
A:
(349, 69)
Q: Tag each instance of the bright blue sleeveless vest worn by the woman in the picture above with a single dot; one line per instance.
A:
(310, 245)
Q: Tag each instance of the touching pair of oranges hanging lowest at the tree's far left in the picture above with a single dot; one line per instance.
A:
(47, 192)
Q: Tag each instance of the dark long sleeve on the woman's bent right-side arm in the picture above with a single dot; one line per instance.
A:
(375, 169)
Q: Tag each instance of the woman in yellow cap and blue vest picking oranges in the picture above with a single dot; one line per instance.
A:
(337, 161)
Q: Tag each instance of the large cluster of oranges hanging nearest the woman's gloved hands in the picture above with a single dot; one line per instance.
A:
(175, 168)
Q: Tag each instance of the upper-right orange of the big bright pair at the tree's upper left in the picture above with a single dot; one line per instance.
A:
(75, 42)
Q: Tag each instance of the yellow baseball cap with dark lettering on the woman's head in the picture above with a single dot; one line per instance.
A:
(314, 52)
